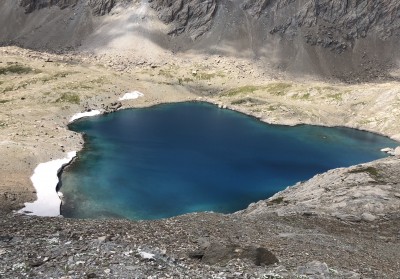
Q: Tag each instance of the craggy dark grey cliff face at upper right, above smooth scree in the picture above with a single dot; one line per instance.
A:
(331, 24)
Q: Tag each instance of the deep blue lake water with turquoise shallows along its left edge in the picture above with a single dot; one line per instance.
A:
(177, 158)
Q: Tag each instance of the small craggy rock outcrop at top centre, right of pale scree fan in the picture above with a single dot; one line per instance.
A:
(191, 16)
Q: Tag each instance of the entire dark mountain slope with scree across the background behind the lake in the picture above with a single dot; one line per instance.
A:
(348, 39)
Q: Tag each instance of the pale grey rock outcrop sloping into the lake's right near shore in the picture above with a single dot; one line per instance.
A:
(362, 193)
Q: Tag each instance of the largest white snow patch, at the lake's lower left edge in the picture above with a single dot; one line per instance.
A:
(45, 180)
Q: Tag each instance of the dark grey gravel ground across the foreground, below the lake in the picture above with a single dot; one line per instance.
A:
(198, 246)
